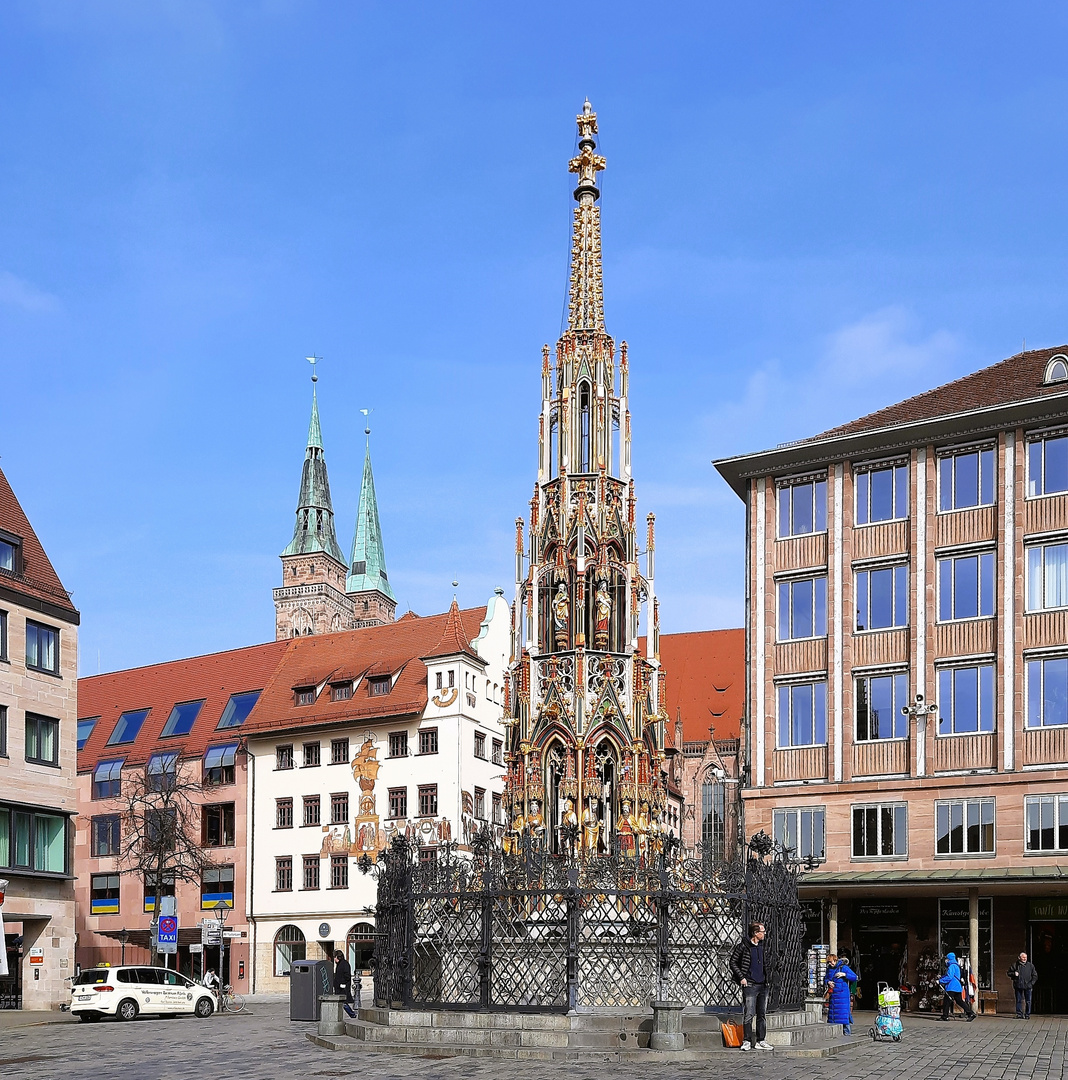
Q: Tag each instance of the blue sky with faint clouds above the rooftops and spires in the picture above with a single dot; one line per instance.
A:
(809, 211)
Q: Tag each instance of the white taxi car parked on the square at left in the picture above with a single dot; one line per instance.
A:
(127, 992)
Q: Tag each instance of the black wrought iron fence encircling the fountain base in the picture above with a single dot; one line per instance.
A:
(535, 931)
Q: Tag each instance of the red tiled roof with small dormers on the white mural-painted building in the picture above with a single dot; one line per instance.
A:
(394, 649)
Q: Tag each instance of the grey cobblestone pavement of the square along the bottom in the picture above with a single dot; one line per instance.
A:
(267, 1046)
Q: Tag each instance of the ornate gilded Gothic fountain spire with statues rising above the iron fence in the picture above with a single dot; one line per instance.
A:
(587, 722)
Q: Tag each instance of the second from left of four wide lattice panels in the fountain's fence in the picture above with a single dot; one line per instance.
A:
(530, 951)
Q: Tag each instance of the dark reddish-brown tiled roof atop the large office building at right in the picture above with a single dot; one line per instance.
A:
(1016, 380)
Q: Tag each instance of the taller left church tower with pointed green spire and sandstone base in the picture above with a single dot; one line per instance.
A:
(313, 598)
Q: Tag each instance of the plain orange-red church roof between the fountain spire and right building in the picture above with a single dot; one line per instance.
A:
(706, 680)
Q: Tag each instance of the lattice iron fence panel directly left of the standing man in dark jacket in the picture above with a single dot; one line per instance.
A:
(702, 931)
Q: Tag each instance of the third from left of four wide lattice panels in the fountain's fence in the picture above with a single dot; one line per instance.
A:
(618, 936)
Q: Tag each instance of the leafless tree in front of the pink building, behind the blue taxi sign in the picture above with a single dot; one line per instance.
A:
(161, 827)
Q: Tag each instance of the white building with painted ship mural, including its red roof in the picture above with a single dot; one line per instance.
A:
(362, 736)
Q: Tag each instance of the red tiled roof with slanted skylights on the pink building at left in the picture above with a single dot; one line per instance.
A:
(159, 687)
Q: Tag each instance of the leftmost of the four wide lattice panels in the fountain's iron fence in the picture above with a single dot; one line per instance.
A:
(447, 947)
